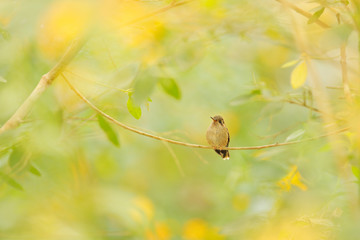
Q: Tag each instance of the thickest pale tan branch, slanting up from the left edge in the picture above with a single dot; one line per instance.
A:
(43, 84)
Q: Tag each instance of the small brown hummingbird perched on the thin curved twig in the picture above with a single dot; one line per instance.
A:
(217, 135)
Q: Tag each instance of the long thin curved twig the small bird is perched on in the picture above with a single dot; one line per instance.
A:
(113, 120)
